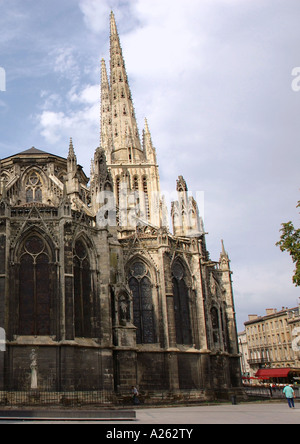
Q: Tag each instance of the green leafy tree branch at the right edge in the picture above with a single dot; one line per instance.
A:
(290, 241)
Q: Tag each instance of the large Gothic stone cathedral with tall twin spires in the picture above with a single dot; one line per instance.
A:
(97, 292)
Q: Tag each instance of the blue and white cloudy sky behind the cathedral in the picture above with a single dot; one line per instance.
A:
(213, 77)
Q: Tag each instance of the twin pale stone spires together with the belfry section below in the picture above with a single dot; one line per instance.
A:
(132, 164)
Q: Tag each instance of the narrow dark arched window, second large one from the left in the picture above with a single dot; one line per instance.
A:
(82, 291)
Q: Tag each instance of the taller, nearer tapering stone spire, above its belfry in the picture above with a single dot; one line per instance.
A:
(125, 136)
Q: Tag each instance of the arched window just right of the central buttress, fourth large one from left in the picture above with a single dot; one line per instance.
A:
(181, 305)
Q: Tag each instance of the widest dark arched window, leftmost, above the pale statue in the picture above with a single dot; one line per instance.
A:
(34, 290)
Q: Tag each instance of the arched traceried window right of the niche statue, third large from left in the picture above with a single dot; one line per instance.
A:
(143, 310)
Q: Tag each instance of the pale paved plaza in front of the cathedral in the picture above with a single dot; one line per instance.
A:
(246, 413)
